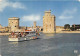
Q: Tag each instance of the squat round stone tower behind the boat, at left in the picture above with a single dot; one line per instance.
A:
(13, 23)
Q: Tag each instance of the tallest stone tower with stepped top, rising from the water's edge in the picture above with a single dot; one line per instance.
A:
(48, 22)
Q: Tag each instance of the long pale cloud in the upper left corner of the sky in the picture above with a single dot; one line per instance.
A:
(6, 3)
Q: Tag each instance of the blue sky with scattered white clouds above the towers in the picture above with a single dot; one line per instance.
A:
(66, 11)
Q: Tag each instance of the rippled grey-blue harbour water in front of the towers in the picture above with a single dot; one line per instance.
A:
(48, 45)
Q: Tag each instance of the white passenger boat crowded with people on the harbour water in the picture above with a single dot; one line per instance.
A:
(21, 36)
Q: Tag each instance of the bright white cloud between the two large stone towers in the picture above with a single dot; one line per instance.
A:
(31, 18)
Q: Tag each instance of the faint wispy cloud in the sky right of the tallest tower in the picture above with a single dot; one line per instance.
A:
(68, 14)
